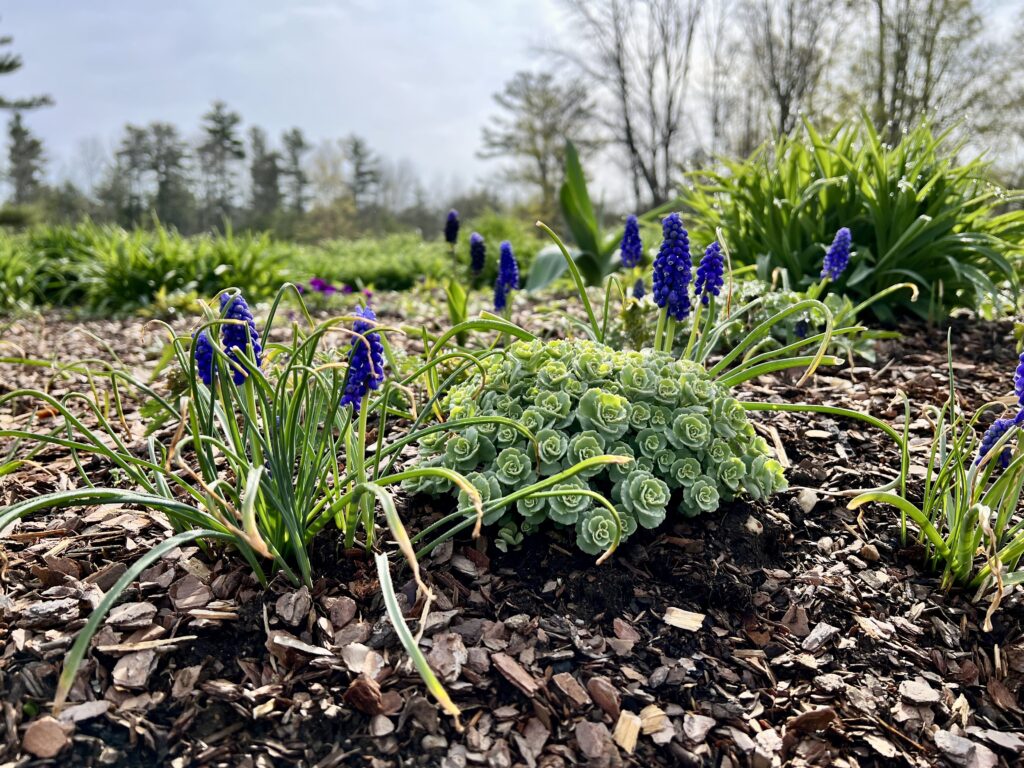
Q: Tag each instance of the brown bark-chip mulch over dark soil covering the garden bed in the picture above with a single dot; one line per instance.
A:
(813, 634)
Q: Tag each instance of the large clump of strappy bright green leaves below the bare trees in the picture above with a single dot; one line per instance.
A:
(916, 212)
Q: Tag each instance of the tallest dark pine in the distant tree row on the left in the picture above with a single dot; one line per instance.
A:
(220, 153)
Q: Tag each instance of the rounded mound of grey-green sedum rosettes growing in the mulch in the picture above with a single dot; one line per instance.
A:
(692, 444)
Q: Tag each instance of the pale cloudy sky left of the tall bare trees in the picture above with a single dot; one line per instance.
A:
(414, 77)
